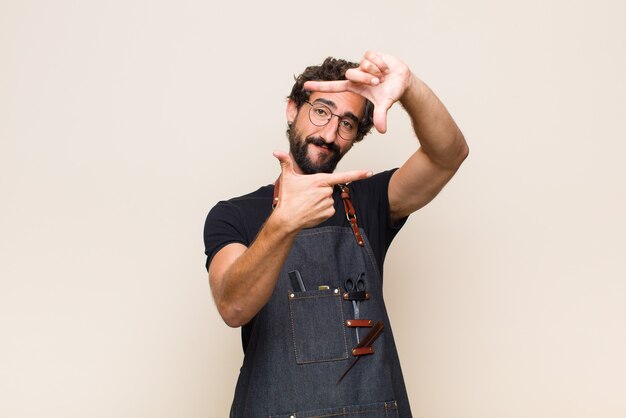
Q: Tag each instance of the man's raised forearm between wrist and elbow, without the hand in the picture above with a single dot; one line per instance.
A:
(439, 136)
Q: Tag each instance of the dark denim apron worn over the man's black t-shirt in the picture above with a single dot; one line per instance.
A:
(300, 345)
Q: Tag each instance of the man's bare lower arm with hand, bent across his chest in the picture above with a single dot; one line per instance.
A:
(243, 278)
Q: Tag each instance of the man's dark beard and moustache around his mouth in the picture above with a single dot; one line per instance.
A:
(300, 151)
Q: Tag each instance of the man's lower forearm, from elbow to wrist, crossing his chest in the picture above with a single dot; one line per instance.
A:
(248, 282)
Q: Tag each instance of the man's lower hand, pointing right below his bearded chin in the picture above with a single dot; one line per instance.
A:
(306, 200)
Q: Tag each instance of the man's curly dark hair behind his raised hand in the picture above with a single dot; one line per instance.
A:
(331, 69)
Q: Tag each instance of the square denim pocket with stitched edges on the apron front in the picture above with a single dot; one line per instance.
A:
(317, 326)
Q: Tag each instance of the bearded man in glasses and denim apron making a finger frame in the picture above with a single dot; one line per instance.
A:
(298, 264)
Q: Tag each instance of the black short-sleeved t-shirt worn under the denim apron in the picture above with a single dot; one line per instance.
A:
(240, 219)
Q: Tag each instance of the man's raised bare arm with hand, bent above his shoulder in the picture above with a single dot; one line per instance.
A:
(385, 80)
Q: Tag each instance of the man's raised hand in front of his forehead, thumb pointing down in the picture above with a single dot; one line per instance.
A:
(380, 78)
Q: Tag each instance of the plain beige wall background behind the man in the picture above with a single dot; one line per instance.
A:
(123, 122)
